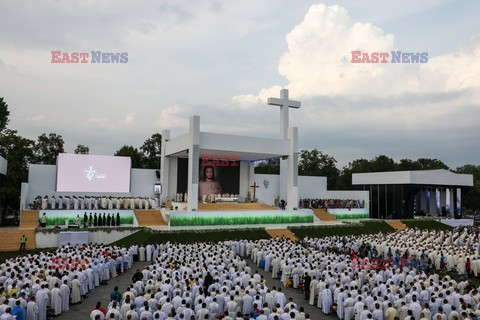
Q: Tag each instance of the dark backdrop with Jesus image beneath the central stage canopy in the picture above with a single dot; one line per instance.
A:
(225, 177)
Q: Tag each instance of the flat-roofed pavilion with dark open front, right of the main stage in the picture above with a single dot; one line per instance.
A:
(403, 194)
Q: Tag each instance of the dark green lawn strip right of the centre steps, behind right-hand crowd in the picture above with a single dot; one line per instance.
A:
(366, 227)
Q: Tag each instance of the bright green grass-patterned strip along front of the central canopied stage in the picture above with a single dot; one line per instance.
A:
(176, 221)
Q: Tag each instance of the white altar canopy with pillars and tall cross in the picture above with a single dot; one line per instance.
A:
(195, 143)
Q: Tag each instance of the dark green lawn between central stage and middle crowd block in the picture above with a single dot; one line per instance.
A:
(148, 236)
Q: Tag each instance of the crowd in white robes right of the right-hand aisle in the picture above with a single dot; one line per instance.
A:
(381, 276)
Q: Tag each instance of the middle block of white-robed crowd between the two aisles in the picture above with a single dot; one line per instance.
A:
(200, 281)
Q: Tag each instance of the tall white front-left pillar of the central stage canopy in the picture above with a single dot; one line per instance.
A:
(193, 163)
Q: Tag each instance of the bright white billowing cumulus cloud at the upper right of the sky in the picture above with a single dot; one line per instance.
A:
(318, 61)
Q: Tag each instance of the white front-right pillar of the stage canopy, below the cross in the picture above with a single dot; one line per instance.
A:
(292, 170)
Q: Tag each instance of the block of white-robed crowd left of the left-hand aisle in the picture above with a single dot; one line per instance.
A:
(54, 280)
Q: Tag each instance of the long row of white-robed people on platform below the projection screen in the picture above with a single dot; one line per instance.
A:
(92, 203)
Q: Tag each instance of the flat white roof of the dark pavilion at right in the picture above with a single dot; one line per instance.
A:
(439, 177)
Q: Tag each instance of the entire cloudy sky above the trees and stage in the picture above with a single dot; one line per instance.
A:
(221, 60)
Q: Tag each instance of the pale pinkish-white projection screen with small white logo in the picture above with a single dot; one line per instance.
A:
(90, 173)
